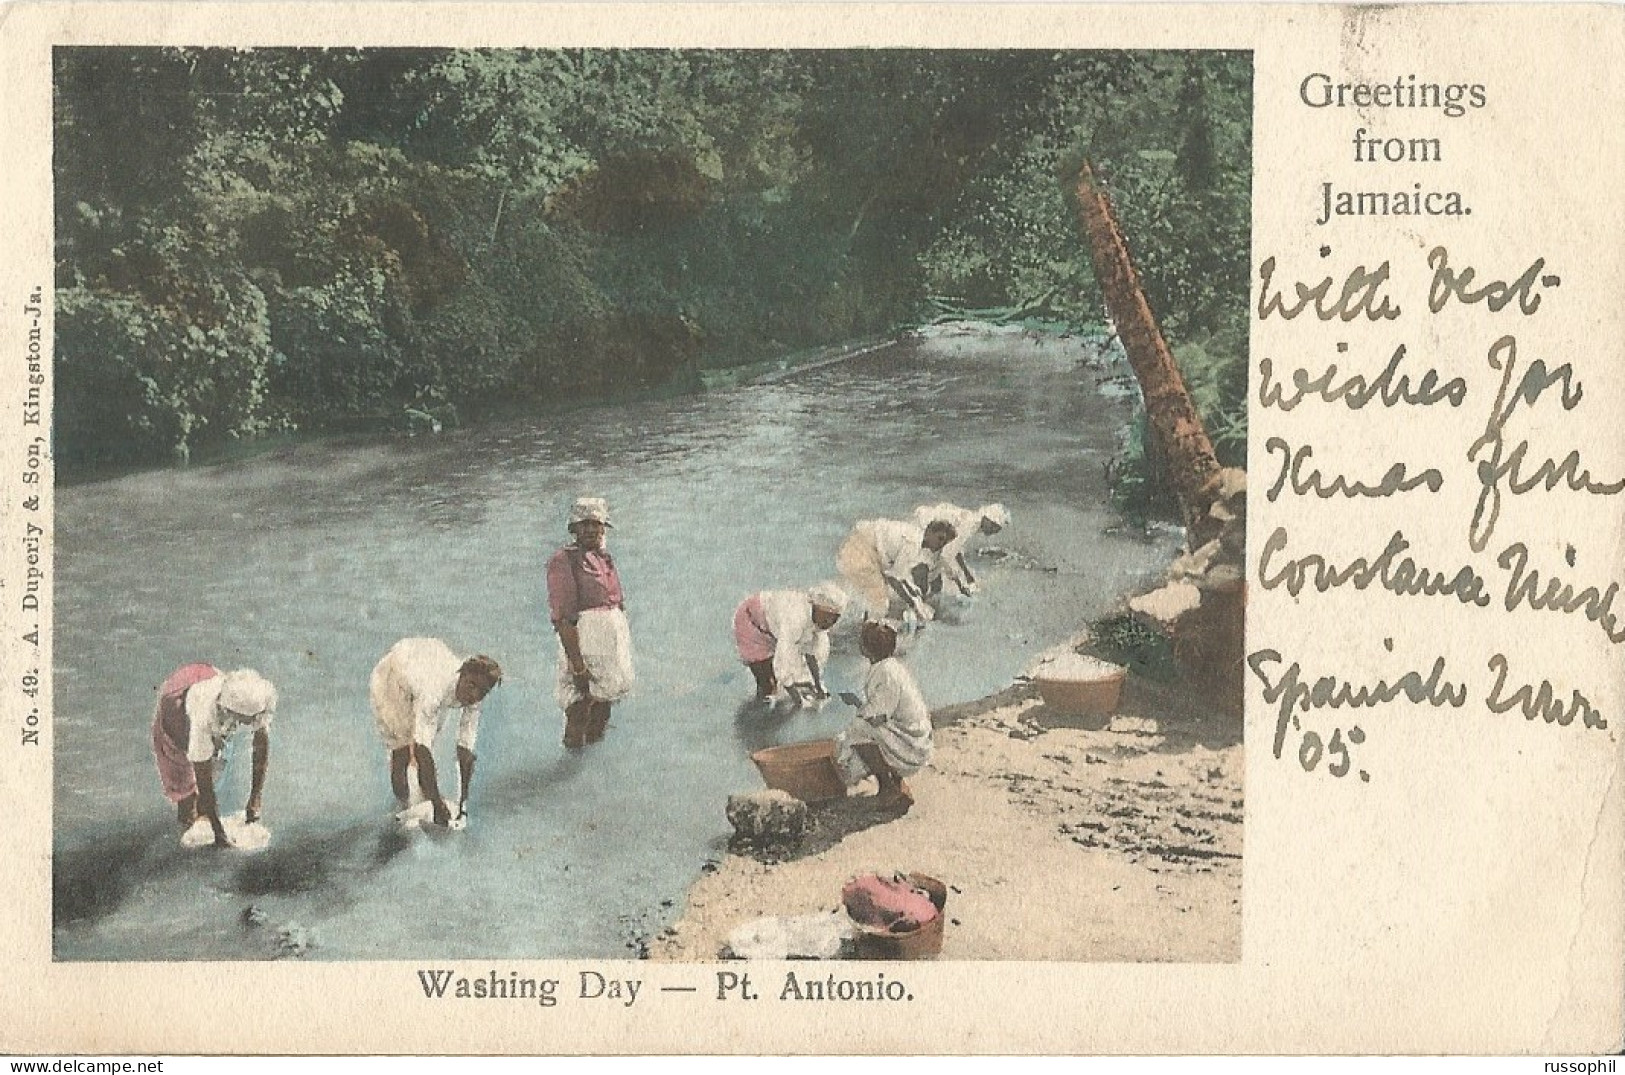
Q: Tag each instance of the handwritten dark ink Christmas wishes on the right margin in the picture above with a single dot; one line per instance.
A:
(1324, 715)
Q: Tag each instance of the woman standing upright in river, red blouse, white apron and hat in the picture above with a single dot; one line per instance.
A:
(589, 615)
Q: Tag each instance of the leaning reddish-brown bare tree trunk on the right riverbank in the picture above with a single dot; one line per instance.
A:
(1176, 426)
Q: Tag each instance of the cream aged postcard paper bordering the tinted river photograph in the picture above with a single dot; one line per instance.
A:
(1434, 696)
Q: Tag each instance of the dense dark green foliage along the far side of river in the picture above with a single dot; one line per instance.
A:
(272, 240)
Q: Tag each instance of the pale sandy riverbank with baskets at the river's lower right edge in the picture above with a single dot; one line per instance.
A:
(1059, 840)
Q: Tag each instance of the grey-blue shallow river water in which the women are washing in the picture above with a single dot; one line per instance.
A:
(308, 564)
